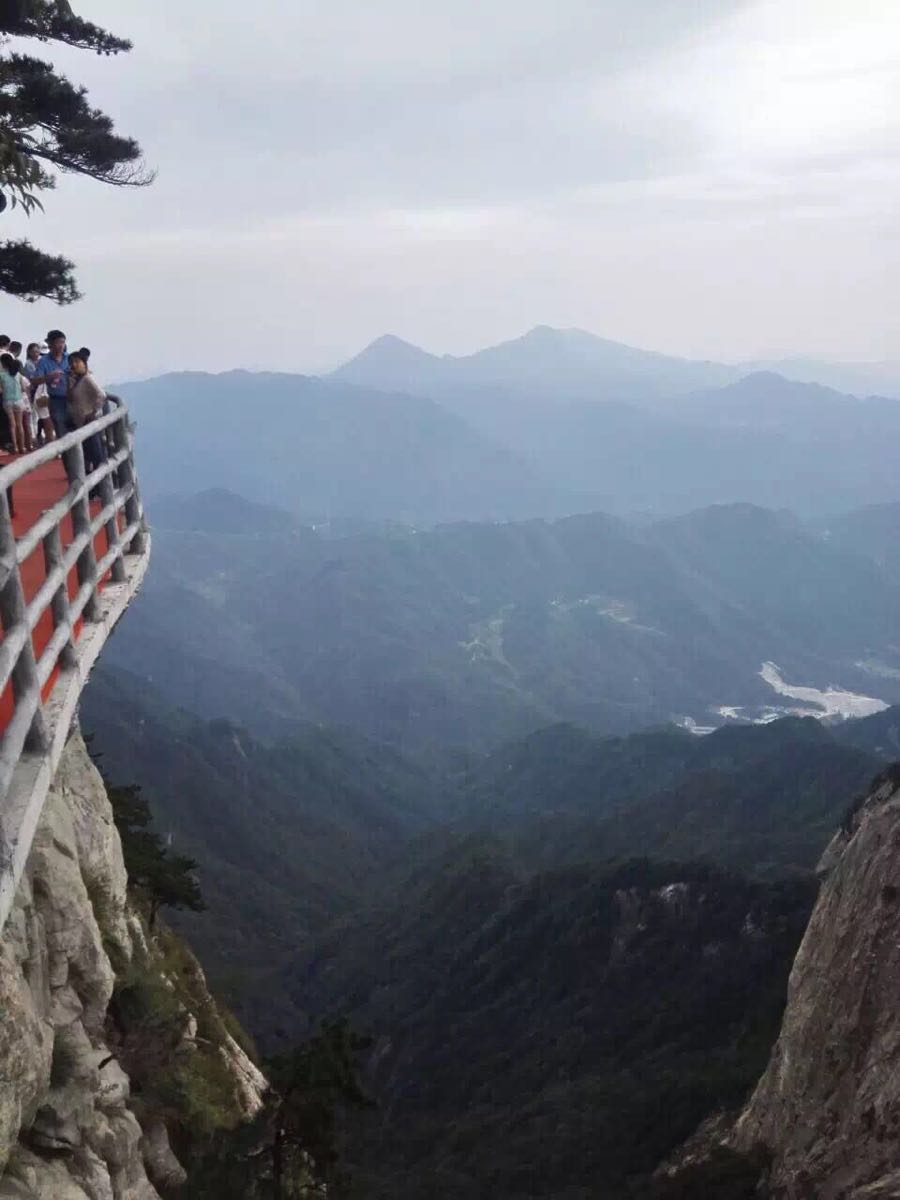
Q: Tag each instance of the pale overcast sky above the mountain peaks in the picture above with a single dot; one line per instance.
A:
(713, 178)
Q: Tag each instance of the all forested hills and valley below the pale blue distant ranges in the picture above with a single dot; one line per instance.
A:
(416, 770)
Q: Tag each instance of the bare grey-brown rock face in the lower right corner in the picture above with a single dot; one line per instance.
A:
(829, 1106)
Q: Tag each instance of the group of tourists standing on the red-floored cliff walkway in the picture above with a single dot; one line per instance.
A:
(49, 393)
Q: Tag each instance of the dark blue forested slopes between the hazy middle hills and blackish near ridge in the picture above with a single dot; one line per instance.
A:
(295, 836)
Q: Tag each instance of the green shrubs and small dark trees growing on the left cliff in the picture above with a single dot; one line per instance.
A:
(172, 1039)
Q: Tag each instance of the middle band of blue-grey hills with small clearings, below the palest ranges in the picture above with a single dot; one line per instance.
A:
(472, 634)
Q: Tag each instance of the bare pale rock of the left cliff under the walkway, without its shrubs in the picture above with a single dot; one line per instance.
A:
(70, 1129)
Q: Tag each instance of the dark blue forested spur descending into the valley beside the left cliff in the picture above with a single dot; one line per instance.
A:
(289, 838)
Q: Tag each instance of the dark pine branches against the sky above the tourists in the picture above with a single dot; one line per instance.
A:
(49, 125)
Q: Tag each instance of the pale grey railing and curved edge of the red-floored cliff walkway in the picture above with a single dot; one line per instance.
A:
(34, 737)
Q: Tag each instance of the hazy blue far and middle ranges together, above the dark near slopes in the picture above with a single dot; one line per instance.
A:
(337, 592)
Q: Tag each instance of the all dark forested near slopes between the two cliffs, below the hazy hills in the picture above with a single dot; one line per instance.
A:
(569, 951)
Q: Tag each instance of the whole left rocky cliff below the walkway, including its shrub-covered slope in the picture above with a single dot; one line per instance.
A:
(110, 1041)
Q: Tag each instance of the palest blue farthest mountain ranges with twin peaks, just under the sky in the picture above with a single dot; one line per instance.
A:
(553, 424)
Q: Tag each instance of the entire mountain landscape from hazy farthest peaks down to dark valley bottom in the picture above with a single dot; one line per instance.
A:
(441, 763)
